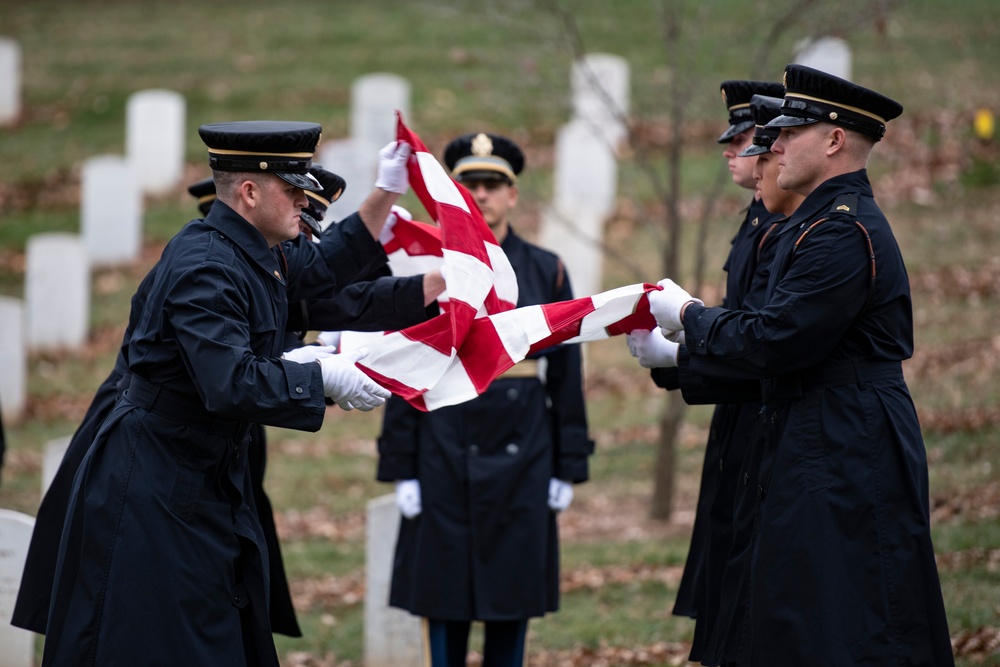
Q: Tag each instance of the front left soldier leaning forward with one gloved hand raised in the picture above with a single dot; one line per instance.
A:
(162, 559)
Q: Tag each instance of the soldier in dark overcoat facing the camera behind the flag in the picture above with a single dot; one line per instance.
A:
(479, 484)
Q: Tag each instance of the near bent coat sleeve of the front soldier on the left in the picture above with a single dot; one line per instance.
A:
(209, 314)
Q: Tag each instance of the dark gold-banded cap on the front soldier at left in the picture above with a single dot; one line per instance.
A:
(283, 148)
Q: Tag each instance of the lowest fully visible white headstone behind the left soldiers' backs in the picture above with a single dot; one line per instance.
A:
(57, 291)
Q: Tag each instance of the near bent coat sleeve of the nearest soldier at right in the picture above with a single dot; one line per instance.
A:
(808, 312)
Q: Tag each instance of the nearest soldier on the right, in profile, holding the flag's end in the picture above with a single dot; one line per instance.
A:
(841, 568)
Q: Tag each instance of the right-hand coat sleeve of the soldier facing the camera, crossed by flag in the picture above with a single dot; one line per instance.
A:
(564, 384)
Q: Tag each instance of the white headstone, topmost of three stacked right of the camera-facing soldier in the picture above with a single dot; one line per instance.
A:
(599, 84)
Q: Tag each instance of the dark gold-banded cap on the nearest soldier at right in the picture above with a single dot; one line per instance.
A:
(812, 96)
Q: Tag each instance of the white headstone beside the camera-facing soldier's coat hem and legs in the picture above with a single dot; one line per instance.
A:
(393, 637)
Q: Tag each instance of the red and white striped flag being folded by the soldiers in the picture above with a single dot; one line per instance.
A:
(453, 357)
